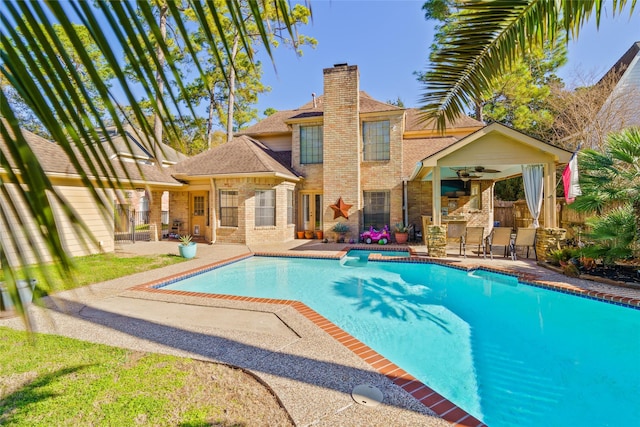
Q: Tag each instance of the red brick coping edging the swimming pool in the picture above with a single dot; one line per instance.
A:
(423, 393)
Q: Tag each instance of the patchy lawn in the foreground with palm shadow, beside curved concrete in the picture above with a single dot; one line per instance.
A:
(51, 380)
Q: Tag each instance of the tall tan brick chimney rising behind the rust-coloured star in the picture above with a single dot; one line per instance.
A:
(341, 144)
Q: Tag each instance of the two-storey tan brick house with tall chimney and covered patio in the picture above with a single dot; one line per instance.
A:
(284, 173)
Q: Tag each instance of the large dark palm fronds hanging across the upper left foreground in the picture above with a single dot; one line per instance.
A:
(67, 104)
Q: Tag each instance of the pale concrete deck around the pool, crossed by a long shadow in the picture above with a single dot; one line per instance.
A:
(304, 361)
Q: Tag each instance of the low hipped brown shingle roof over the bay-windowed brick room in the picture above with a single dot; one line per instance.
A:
(242, 155)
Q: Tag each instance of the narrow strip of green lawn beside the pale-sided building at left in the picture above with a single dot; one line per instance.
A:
(99, 268)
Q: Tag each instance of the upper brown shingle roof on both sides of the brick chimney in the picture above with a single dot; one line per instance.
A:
(277, 122)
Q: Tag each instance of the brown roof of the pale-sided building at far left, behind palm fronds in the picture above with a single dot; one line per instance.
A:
(54, 161)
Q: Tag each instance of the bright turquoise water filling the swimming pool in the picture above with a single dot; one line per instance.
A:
(509, 354)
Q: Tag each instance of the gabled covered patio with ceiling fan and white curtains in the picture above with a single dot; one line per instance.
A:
(453, 187)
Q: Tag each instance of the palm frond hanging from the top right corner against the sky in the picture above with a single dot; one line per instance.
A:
(487, 39)
